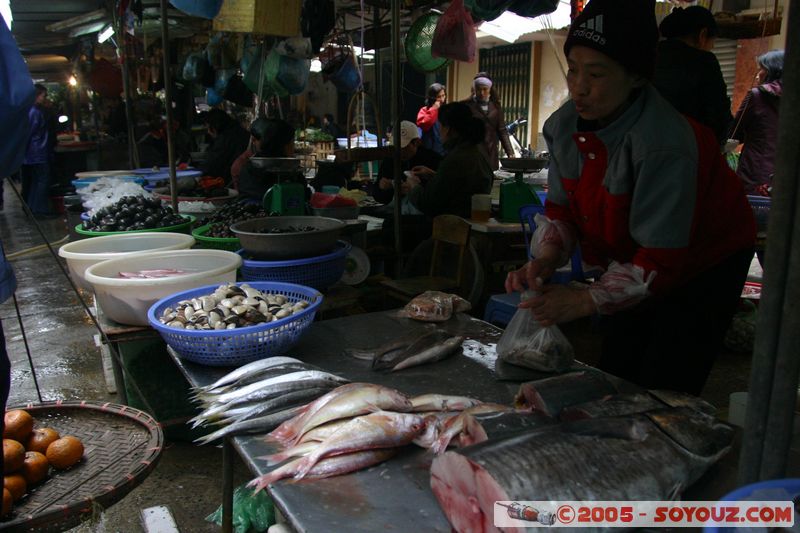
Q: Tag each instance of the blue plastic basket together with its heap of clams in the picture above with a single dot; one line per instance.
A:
(233, 324)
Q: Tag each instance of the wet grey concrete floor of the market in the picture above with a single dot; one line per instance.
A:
(68, 366)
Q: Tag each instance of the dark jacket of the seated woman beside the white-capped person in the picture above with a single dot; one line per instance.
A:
(464, 171)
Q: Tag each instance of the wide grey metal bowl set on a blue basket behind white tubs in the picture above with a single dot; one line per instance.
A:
(282, 246)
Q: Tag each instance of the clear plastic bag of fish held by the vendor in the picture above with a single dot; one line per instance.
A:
(526, 343)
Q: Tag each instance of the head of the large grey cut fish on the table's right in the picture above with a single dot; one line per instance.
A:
(699, 434)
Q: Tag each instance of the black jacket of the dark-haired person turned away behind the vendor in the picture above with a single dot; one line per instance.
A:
(691, 80)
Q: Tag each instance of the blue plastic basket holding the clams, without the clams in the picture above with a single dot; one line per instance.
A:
(233, 347)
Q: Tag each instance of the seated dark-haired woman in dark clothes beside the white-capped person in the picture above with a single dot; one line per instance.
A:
(464, 171)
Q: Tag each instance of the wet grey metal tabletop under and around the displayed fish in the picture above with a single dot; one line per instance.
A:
(370, 500)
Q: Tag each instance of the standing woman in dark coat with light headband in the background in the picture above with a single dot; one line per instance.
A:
(485, 105)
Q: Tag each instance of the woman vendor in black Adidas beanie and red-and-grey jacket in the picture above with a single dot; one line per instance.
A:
(646, 193)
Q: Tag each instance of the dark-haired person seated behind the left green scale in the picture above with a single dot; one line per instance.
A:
(273, 138)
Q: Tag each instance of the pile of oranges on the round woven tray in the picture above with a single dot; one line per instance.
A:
(29, 453)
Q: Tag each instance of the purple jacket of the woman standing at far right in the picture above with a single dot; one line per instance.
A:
(756, 125)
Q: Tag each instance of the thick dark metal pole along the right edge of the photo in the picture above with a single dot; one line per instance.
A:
(774, 375)
